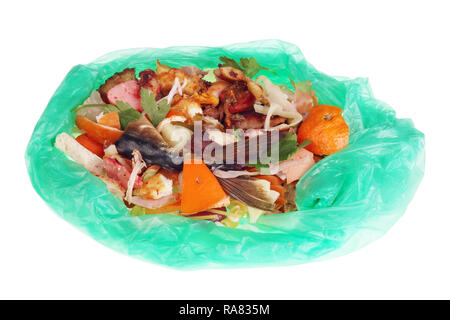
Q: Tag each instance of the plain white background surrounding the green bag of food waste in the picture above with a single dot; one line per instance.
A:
(402, 46)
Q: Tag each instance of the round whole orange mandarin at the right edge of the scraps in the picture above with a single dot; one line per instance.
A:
(326, 128)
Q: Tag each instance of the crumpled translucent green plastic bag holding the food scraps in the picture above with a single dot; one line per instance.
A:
(345, 201)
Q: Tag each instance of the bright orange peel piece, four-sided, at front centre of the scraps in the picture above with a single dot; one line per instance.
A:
(201, 190)
